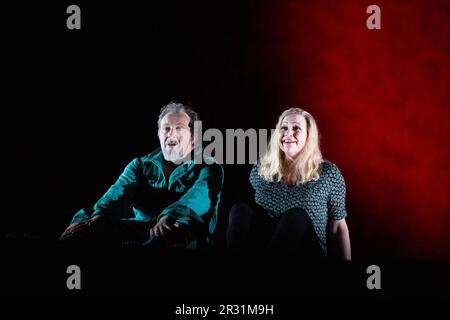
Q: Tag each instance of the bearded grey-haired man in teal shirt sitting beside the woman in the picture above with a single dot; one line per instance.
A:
(173, 199)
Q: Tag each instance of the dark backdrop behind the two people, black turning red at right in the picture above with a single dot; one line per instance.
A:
(78, 105)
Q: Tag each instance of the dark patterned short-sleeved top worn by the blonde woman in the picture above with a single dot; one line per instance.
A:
(322, 200)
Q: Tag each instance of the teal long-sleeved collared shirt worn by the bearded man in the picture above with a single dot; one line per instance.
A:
(191, 195)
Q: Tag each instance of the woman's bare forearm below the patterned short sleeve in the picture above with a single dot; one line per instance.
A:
(340, 239)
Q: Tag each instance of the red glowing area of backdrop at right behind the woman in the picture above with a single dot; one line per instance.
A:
(381, 99)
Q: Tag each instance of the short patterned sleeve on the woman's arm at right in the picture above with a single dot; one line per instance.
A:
(336, 198)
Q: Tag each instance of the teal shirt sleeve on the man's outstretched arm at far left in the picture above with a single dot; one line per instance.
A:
(120, 196)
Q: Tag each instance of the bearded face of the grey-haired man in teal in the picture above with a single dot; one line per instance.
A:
(175, 136)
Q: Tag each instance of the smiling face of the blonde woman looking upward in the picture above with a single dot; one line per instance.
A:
(293, 134)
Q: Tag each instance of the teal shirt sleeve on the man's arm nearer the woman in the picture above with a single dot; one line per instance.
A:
(201, 198)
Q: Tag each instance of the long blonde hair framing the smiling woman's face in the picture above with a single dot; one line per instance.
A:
(306, 164)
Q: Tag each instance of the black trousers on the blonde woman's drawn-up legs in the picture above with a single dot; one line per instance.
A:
(250, 227)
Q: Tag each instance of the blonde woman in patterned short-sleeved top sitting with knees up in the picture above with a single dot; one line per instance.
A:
(299, 199)
